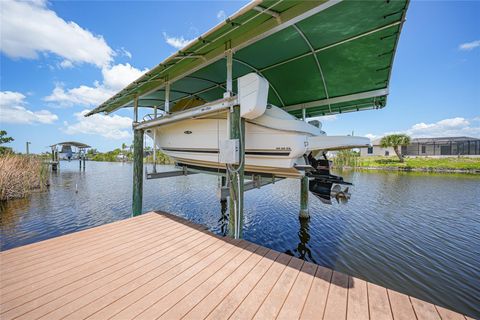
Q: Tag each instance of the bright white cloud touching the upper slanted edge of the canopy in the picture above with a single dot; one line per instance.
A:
(115, 78)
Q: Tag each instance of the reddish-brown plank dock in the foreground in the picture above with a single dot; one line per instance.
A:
(157, 266)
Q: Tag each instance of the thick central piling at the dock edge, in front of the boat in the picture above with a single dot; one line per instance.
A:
(237, 131)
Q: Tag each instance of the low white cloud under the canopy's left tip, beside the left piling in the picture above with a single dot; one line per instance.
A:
(111, 127)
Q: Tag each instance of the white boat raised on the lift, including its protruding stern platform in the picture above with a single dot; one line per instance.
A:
(196, 142)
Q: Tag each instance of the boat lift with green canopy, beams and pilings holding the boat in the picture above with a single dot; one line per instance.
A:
(319, 57)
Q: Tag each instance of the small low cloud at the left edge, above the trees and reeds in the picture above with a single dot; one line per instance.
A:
(13, 110)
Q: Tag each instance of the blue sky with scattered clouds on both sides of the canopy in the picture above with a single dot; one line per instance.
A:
(60, 59)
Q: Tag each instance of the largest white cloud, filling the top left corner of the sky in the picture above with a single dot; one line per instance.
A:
(30, 28)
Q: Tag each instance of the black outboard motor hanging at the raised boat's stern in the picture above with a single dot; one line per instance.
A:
(326, 186)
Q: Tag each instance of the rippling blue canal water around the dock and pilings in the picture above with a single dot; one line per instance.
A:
(415, 233)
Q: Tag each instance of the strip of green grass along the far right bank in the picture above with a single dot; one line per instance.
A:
(457, 163)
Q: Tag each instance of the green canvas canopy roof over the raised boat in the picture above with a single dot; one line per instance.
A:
(325, 56)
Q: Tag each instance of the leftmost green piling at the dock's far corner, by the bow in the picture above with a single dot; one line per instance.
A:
(137, 172)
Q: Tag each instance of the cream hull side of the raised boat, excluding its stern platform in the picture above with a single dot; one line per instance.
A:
(196, 142)
